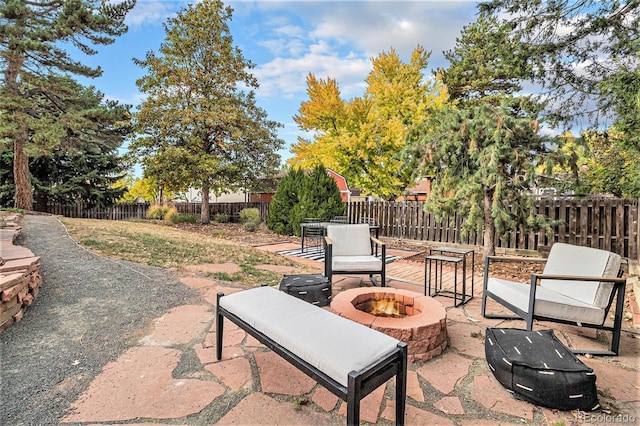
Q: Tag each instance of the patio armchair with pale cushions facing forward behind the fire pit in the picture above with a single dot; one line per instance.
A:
(349, 250)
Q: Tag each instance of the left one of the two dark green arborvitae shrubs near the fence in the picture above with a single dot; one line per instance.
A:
(287, 197)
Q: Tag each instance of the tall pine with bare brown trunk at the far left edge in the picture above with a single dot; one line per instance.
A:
(38, 103)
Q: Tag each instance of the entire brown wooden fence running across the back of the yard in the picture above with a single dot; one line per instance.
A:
(608, 223)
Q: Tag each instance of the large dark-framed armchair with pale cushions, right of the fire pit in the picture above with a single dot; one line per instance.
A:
(577, 286)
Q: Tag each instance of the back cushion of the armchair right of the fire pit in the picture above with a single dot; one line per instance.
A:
(568, 259)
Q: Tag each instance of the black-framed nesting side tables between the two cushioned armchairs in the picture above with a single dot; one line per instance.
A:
(457, 256)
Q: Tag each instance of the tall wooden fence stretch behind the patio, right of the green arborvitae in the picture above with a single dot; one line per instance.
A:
(607, 223)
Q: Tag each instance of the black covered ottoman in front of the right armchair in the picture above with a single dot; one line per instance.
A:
(538, 368)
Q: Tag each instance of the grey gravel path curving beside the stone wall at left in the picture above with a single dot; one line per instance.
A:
(89, 310)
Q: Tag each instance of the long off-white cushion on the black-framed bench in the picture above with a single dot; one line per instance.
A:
(332, 344)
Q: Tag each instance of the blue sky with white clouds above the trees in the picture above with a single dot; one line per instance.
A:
(287, 40)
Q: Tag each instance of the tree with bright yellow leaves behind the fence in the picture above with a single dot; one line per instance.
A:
(361, 138)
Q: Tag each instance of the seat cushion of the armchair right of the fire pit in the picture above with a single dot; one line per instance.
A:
(548, 302)
